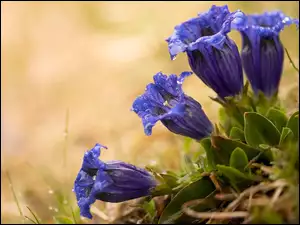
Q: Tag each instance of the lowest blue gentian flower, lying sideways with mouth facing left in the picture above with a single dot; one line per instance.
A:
(112, 181)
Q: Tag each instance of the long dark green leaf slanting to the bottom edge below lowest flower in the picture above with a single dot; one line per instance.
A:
(196, 190)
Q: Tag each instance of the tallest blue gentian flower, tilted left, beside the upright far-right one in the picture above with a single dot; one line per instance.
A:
(212, 55)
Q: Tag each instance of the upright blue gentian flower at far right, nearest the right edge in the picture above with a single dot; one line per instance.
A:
(263, 53)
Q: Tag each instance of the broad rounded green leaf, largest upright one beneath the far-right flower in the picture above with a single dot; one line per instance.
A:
(259, 130)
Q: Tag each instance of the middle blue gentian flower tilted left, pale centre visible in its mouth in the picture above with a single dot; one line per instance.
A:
(165, 100)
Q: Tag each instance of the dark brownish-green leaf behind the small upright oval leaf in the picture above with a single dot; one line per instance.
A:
(223, 147)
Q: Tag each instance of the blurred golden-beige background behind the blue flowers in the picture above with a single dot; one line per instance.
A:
(70, 72)
